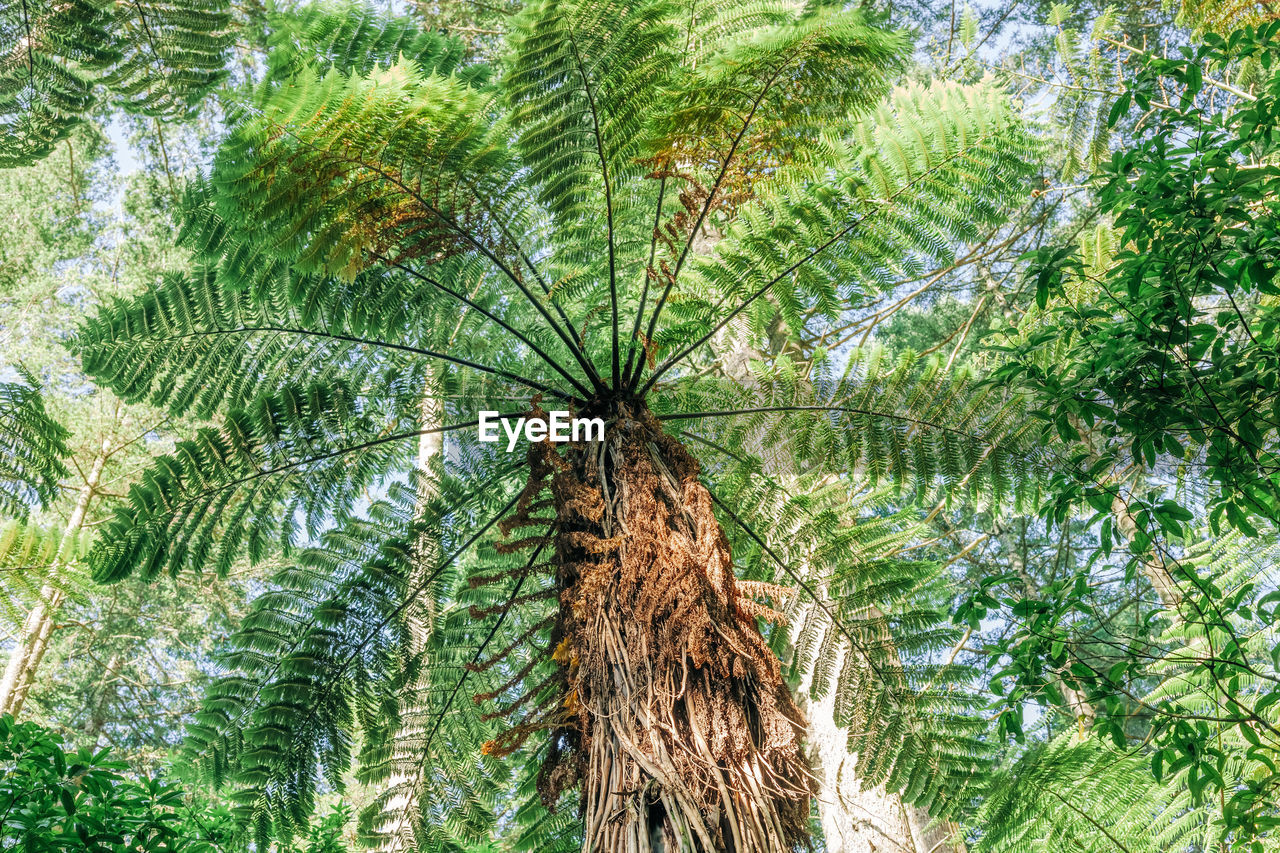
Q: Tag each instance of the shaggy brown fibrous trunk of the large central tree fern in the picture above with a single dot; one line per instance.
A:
(674, 722)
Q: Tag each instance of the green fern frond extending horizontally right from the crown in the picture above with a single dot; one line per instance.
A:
(903, 426)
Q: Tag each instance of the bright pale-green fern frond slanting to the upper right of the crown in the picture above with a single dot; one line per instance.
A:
(899, 199)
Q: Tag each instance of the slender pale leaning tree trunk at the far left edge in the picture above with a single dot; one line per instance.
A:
(20, 673)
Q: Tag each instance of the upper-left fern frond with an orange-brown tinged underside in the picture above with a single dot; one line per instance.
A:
(394, 147)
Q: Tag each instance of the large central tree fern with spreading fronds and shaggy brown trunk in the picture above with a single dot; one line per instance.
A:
(524, 240)
